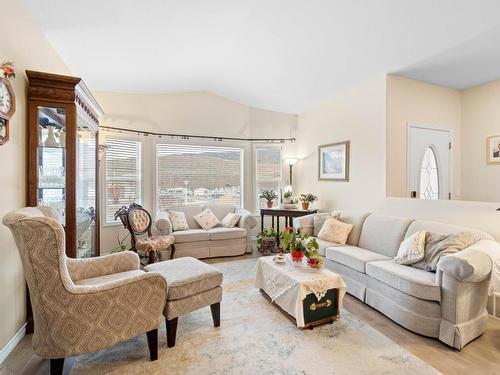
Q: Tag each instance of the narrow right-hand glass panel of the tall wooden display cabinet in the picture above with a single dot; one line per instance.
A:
(86, 190)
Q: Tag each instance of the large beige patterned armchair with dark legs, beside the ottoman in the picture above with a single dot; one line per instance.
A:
(83, 305)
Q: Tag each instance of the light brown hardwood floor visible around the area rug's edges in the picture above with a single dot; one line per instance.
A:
(481, 356)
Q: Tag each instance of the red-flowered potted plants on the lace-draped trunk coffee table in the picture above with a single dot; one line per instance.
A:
(301, 245)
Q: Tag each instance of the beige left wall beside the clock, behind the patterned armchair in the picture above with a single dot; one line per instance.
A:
(22, 43)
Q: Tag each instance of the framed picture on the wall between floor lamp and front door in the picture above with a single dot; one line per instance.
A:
(333, 161)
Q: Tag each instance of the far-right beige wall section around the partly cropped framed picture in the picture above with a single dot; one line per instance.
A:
(480, 119)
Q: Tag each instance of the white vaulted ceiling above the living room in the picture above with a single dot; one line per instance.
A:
(283, 55)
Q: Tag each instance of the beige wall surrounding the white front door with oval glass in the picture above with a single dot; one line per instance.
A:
(422, 103)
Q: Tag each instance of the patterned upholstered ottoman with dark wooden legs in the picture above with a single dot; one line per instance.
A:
(191, 285)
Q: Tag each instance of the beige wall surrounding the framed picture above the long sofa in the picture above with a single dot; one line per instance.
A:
(358, 115)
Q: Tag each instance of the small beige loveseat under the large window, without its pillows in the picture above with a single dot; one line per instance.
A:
(216, 242)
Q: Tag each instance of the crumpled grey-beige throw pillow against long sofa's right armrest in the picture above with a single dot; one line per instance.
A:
(438, 245)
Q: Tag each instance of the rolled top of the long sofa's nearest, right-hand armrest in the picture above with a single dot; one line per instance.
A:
(468, 265)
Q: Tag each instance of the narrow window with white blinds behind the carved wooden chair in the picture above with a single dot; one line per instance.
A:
(123, 175)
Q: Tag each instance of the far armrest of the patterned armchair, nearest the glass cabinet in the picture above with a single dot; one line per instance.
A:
(86, 268)
